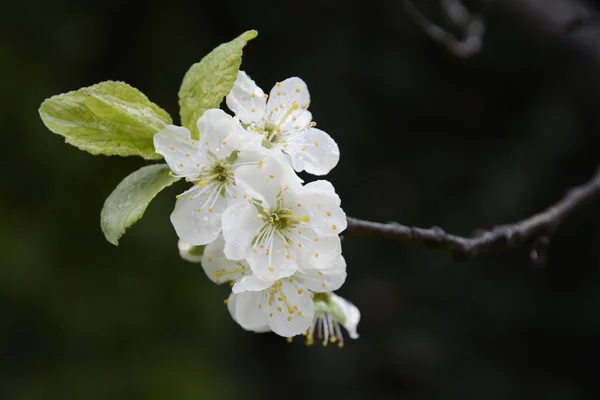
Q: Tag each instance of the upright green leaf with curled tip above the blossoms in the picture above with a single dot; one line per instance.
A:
(206, 83)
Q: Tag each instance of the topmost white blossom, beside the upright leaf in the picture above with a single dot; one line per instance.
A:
(284, 122)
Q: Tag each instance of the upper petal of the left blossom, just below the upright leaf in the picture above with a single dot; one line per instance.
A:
(219, 132)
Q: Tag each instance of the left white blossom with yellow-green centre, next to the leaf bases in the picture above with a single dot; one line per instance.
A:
(210, 164)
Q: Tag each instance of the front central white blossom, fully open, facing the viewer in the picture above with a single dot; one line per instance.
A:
(283, 224)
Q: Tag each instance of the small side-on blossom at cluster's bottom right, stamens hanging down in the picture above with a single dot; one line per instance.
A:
(331, 311)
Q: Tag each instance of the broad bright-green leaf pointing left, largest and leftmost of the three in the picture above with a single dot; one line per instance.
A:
(110, 118)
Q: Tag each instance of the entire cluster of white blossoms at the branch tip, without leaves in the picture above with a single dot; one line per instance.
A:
(274, 238)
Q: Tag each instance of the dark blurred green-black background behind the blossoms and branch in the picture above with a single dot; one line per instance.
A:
(426, 138)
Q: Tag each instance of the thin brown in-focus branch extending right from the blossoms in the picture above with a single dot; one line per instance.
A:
(539, 227)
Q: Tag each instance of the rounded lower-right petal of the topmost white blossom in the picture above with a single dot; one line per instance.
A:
(313, 151)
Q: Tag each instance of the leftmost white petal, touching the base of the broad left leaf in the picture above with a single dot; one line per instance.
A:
(179, 150)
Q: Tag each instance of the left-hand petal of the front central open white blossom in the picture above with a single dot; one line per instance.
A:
(239, 227)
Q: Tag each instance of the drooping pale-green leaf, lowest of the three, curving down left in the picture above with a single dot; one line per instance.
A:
(127, 203)
